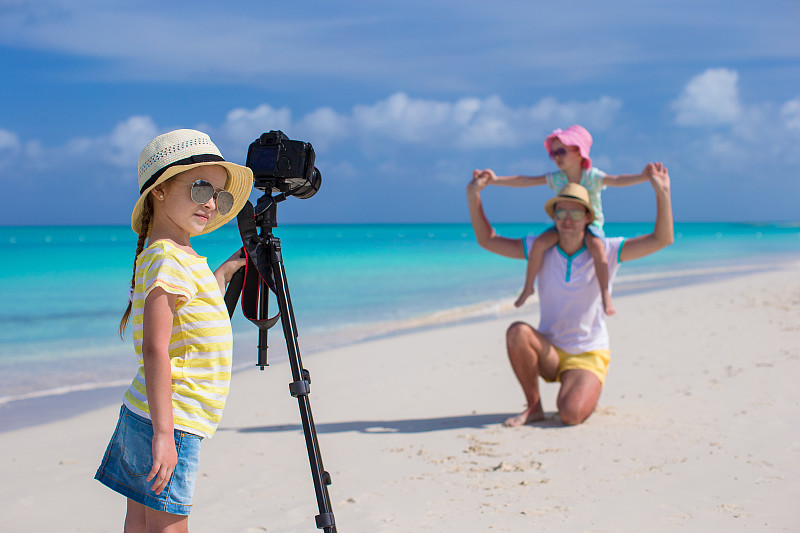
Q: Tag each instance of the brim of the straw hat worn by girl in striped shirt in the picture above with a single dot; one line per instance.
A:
(239, 184)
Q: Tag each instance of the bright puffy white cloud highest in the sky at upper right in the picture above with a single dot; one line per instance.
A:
(709, 99)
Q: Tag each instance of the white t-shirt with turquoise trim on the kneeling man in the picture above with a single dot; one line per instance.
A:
(571, 308)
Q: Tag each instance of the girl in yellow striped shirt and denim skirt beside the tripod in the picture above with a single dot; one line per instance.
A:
(181, 329)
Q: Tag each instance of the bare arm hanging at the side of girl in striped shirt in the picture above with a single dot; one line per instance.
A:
(157, 330)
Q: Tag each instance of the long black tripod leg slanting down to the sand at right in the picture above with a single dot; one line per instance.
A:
(300, 388)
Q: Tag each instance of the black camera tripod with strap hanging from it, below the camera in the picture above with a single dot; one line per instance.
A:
(263, 252)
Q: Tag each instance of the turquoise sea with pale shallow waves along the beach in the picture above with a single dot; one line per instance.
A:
(63, 289)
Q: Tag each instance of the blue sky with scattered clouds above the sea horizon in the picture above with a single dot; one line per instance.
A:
(402, 100)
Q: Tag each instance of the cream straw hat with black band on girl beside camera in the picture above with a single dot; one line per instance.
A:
(181, 150)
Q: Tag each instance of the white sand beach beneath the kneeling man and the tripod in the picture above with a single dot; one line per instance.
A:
(696, 430)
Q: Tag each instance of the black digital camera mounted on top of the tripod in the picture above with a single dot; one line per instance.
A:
(281, 165)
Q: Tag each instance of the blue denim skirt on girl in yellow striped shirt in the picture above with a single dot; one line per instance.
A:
(129, 458)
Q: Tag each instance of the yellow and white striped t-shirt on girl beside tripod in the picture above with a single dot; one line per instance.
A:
(201, 345)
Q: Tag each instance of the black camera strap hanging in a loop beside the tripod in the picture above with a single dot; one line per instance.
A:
(248, 279)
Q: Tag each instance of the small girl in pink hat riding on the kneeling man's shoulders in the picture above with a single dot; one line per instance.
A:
(569, 149)
